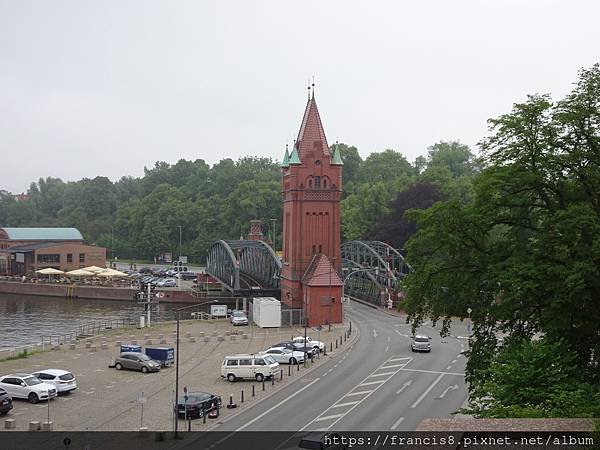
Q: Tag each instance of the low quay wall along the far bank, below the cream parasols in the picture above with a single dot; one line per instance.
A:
(89, 292)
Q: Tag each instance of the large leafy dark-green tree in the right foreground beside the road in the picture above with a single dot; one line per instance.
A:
(524, 252)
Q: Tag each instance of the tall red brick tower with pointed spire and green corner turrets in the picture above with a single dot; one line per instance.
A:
(312, 184)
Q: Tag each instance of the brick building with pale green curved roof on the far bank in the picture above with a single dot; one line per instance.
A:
(25, 250)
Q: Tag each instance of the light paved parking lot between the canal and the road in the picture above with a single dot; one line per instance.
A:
(108, 399)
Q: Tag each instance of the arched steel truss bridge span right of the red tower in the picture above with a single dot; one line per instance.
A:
(371, 268)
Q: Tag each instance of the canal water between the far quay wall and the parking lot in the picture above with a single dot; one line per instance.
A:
(24, 320)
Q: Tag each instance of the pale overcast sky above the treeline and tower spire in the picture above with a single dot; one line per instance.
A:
(108, 87)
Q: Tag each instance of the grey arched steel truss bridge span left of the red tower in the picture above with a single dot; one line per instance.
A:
(245, 267)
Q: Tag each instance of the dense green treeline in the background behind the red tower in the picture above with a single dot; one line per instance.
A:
(141, 217)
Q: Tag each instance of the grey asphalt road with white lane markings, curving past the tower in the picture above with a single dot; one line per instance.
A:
(378, 384)
